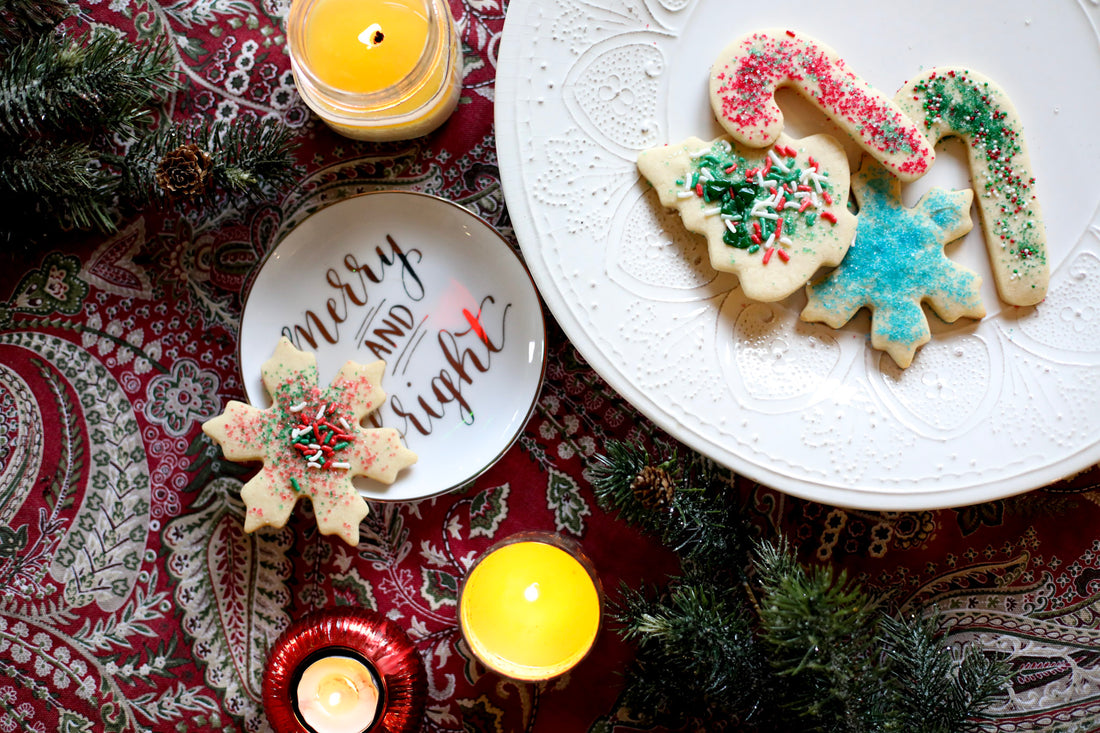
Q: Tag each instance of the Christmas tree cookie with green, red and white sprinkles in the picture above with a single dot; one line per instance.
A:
(772, 216)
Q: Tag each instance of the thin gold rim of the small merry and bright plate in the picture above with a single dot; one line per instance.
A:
(432, 200)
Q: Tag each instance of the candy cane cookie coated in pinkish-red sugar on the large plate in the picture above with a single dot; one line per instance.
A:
(747, 73)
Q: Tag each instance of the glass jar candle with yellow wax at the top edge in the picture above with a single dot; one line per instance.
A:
(377, 70)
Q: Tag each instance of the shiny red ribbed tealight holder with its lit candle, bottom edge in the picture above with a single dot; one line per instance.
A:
(345, 671)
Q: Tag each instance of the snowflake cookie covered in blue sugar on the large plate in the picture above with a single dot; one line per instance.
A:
(897, 264)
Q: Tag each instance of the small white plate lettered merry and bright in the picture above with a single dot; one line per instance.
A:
(437, 294)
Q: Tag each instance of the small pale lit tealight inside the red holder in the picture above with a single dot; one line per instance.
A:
(338, 695)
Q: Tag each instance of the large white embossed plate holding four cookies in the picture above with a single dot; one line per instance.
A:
(987, 410)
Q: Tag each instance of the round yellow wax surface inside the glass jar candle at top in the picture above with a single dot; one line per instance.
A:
(366, 46)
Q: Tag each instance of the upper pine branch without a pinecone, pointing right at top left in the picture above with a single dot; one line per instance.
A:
(98, 83)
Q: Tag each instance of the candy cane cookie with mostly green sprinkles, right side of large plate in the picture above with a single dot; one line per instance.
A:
(955, 102)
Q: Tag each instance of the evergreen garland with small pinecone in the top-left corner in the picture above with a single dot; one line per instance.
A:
(79, 145)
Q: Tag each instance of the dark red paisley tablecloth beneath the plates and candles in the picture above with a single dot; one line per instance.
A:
(133, 600)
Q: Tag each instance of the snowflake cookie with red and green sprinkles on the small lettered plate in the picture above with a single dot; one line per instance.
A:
(312, 443)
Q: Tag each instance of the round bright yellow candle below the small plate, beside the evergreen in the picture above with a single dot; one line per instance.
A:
(531, 607)
